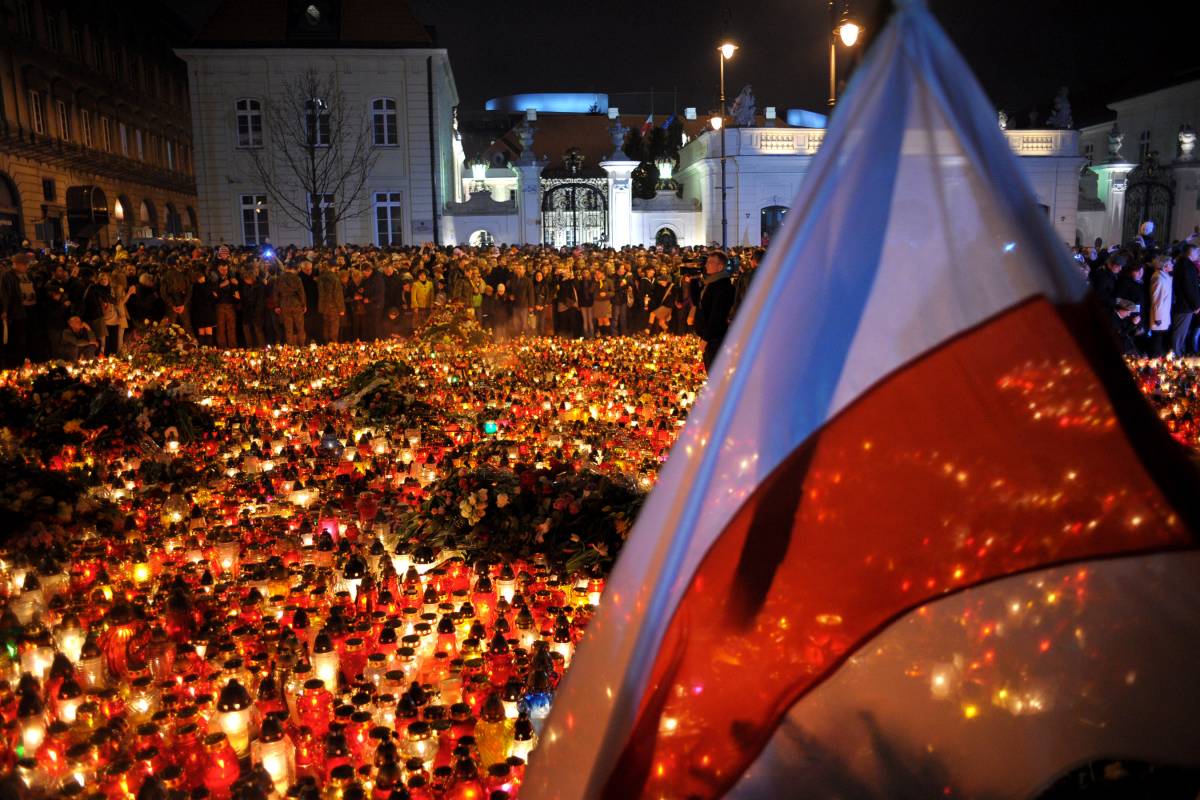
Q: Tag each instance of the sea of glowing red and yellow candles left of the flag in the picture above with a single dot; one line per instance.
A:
(248, 617)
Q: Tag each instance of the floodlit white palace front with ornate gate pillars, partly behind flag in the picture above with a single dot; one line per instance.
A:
(765, 171)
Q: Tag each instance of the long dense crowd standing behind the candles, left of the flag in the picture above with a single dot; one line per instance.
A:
(70, 306)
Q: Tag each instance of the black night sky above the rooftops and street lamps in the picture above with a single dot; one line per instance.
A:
(1022, 51)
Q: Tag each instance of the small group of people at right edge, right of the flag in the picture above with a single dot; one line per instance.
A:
(1151, 292)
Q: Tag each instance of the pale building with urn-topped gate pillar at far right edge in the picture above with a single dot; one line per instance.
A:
(1143, 167)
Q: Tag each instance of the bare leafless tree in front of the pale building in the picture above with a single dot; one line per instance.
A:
(319, 143)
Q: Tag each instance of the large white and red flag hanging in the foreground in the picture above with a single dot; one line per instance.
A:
(921, 536)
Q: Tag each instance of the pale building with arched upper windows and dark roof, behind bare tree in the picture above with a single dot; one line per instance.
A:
(391, 82)
